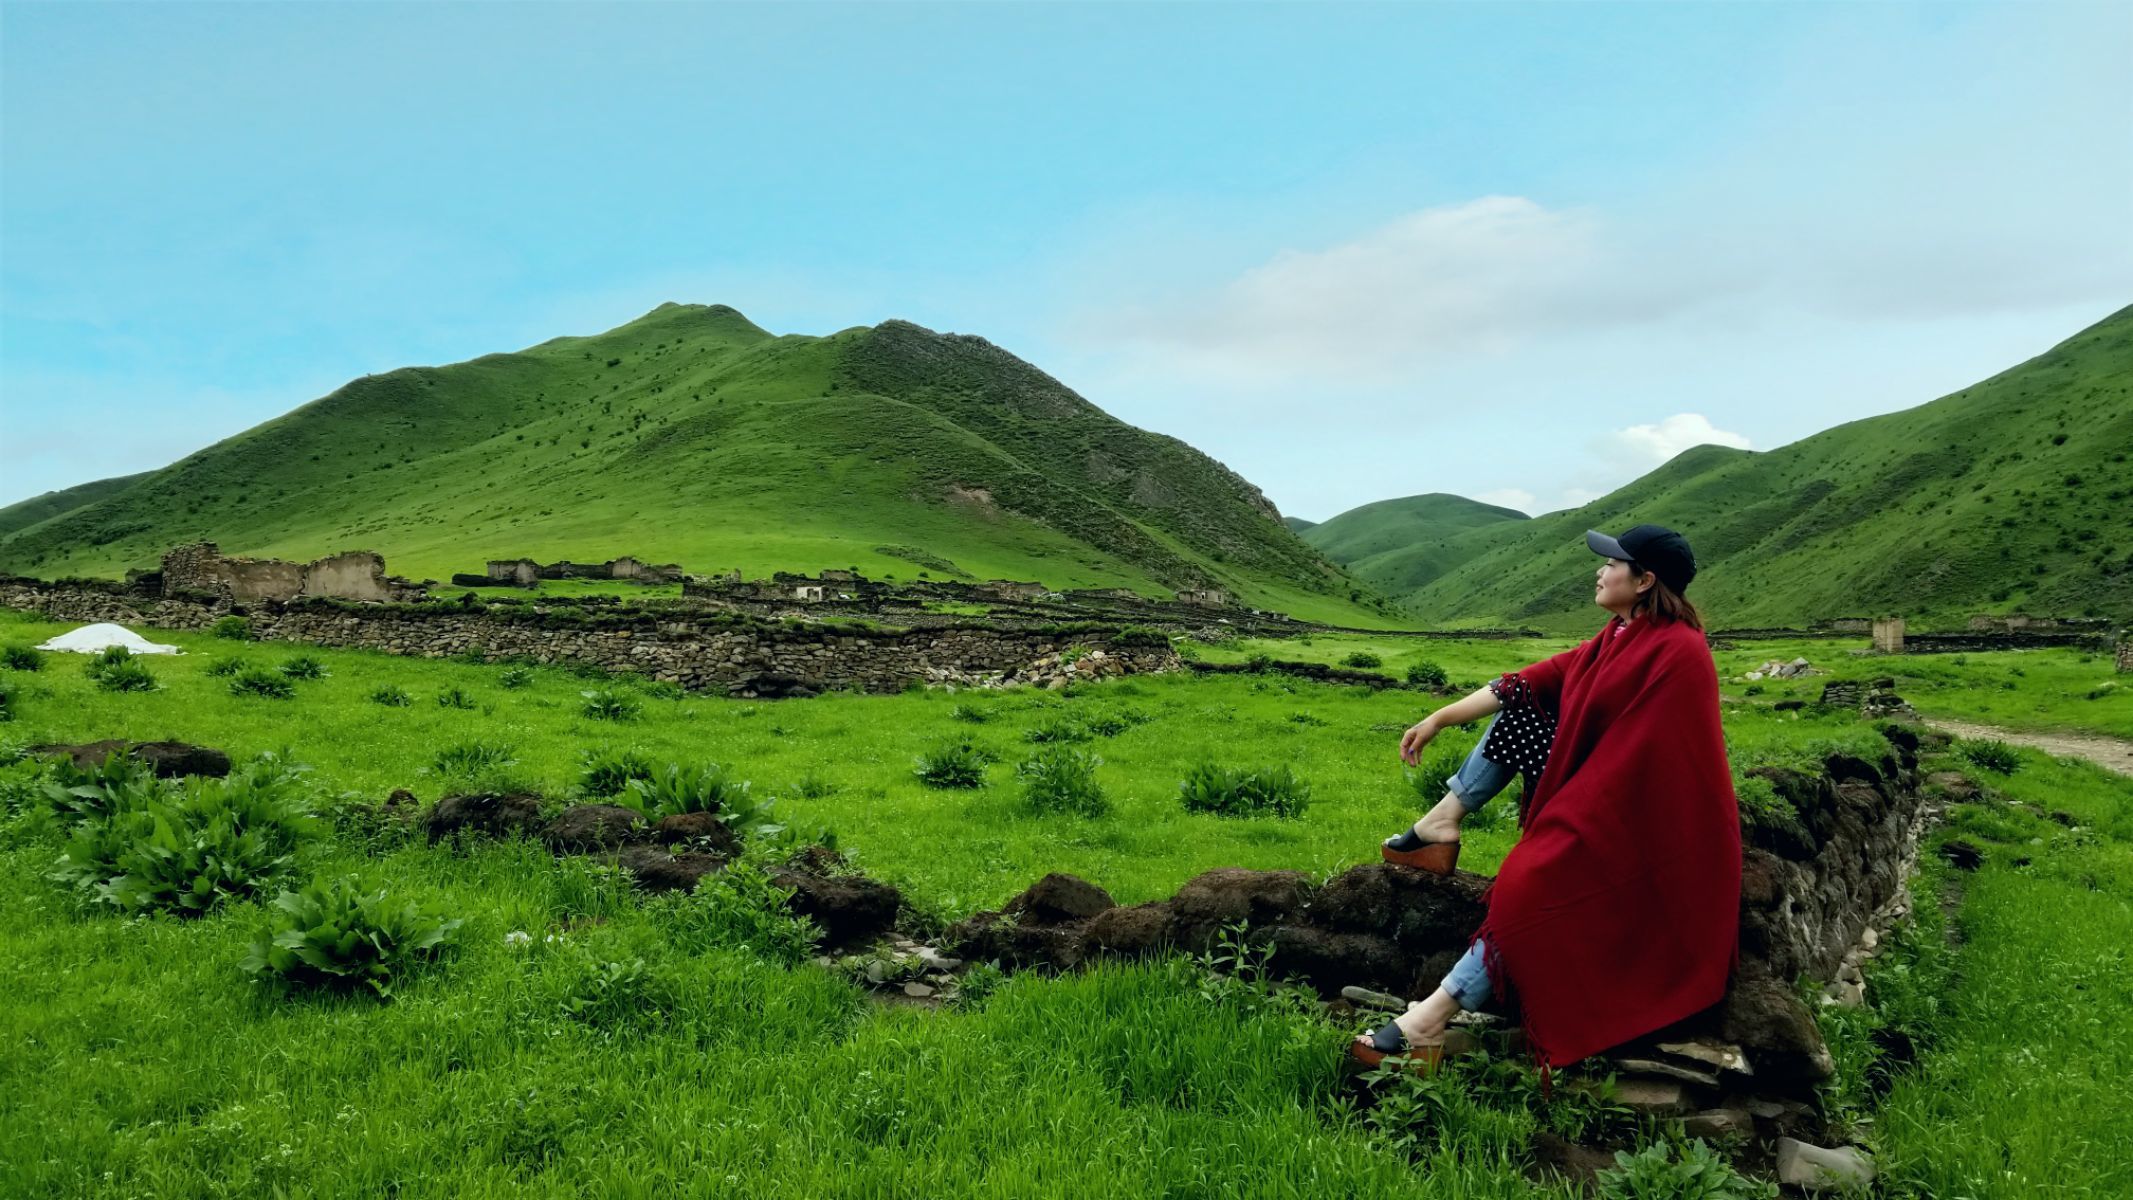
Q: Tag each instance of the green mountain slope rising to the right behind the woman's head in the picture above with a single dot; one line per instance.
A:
(2010, 496)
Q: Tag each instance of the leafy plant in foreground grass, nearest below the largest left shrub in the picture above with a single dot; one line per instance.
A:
(334, 935)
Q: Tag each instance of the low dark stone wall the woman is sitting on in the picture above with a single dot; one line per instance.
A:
(1810, 890)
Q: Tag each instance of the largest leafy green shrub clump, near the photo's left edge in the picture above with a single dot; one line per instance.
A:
(189, 847)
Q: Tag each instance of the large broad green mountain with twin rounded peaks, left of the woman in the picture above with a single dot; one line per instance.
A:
(696, 438)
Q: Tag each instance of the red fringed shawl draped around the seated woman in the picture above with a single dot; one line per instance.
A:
(1620, 907)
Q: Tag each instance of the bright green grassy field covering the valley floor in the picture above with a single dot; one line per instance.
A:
(637, 1056)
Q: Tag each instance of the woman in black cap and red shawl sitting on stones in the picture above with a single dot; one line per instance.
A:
(1618, 911)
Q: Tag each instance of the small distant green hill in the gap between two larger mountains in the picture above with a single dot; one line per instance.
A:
(1398, 547)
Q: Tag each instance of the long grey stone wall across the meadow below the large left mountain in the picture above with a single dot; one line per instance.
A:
(690, 649)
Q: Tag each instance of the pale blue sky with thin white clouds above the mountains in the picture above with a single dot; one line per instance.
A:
(1507, 250)
